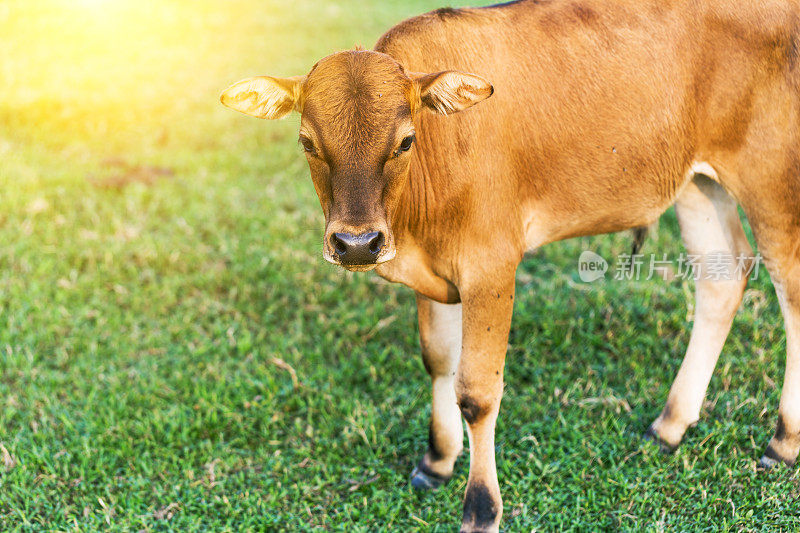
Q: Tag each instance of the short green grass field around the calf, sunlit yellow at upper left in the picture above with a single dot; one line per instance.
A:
(176, 355)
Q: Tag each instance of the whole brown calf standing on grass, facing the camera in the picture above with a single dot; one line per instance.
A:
(605, 113)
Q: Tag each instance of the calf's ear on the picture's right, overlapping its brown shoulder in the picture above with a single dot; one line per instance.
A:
(449, 91)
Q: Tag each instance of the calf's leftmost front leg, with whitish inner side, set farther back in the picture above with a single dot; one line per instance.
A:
(440, 339)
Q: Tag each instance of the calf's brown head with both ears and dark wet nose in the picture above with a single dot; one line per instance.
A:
(358, 132)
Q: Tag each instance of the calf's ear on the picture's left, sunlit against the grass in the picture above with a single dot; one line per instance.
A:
(265, 96)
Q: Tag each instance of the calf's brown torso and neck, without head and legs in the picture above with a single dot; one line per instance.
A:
(600, 111)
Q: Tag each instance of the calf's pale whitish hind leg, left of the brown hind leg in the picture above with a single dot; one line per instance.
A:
(711, 229)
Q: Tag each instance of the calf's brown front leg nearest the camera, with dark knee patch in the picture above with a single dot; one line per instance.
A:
(487, 309)
